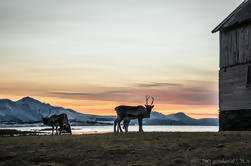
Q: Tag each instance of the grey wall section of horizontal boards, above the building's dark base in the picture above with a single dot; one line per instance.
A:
(234, 93)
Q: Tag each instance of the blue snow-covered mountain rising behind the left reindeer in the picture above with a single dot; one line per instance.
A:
(30, 110)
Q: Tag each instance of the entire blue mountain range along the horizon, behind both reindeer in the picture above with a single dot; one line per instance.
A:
(29, 110)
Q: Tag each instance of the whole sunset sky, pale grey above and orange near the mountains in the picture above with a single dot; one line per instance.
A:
(93, 55)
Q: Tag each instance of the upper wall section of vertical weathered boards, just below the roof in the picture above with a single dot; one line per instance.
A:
(235, 46)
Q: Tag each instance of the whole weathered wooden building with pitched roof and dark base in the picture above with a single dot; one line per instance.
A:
(235, 69)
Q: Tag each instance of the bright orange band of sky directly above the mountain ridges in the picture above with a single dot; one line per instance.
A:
(107, 107)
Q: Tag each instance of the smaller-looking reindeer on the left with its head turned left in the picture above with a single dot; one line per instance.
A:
(60, 120)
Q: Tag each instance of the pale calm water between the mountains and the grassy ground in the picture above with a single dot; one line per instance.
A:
(104, 129)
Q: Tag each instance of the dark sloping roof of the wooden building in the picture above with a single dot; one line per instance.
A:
(241, 14)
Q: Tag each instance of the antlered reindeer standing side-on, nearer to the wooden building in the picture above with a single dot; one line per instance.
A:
(127, 113)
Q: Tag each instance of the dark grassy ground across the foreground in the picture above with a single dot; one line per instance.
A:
(173, 148)
